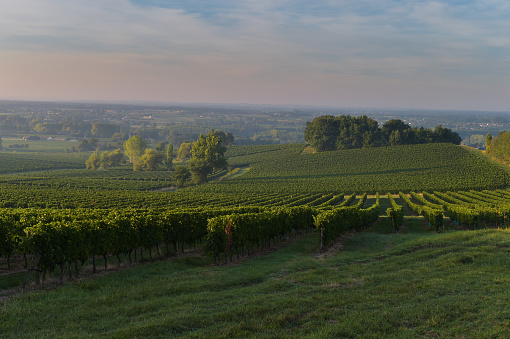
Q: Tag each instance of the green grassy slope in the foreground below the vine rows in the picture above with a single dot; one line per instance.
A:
(413, 284)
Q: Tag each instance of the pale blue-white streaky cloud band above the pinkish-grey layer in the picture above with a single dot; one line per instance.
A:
(338, 29)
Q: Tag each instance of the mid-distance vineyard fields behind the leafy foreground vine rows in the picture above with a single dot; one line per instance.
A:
(273, 170)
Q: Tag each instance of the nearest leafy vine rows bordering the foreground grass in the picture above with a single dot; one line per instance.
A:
(54, 237)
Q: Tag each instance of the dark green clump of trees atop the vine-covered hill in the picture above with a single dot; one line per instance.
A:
(329, 133)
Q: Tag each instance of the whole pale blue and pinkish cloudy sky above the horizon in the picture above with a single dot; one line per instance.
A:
(343, 53)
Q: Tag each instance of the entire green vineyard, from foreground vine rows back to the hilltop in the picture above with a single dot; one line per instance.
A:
(56, 224)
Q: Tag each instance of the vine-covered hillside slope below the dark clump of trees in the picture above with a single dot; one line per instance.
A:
(402, 168)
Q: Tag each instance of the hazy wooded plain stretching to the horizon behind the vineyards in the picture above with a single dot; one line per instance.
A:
(249, 124)
